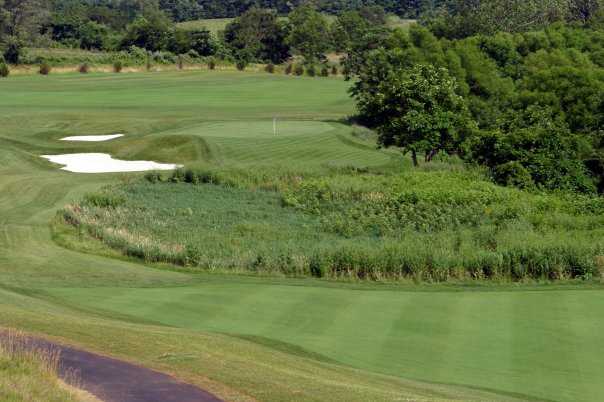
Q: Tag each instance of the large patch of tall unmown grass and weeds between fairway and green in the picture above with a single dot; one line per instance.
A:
(425, 226)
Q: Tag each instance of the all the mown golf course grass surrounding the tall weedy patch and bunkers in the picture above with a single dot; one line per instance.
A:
(263, 338)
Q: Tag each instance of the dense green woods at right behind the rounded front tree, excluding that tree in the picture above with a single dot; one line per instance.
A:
(536, 98)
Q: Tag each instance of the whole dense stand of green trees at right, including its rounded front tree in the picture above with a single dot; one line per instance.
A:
(527, 104)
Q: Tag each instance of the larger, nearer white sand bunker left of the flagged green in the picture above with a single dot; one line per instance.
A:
(104, 163)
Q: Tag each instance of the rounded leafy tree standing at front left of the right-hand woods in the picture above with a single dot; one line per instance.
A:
(417, 110)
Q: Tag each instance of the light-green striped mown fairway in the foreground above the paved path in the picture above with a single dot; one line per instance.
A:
(528, 343)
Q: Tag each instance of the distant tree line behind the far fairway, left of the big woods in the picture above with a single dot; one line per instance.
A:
(258, 35)
